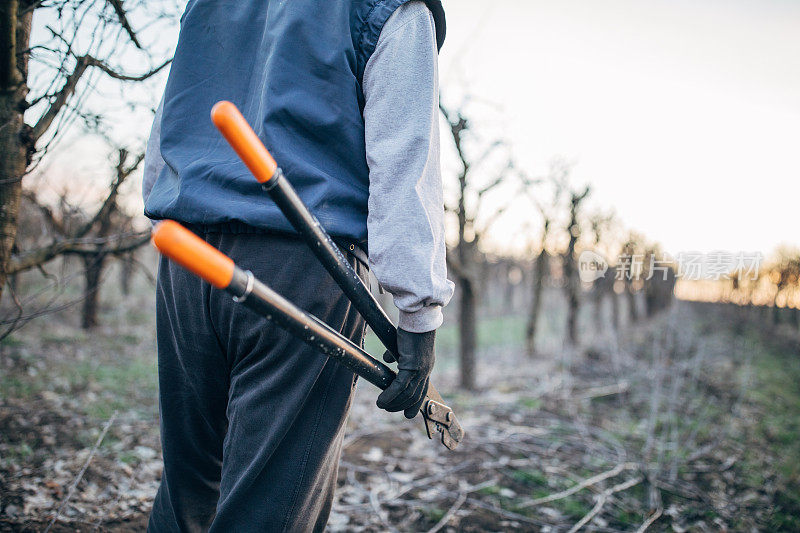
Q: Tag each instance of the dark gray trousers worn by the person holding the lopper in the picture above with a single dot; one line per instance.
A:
(252, 420)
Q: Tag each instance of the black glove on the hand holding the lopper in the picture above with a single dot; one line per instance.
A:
(414, 365)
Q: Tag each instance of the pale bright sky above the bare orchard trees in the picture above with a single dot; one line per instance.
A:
(684, 116)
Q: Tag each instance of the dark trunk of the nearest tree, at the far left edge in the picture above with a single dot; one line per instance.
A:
(16, 144)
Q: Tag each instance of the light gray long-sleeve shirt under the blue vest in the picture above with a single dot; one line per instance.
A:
(405, 223)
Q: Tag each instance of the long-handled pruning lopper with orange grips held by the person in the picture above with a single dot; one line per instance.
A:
(199, 257)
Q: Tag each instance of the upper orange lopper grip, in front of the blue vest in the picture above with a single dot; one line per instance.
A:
(234, 127)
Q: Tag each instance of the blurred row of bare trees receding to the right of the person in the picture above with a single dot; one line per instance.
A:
(563, 228)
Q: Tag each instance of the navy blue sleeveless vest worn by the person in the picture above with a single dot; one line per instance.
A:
(294, 68)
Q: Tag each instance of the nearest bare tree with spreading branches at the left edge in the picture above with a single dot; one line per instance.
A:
(84, 40)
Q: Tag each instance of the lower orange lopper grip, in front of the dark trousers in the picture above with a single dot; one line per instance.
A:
(193, 253)
